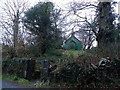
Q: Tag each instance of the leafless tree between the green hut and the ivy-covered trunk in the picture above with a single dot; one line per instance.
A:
(84, 26)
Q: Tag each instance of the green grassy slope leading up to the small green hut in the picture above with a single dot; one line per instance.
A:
(60, 57)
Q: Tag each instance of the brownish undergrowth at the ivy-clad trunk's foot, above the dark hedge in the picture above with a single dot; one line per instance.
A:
(111, 50)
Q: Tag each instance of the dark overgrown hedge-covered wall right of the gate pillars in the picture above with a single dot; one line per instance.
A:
(104, 74)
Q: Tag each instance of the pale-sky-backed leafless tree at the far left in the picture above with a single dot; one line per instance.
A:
(11, 19)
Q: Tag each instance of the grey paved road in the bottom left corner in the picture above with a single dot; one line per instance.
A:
(9, 84)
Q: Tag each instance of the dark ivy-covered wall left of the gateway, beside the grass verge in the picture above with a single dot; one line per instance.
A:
(17, 67)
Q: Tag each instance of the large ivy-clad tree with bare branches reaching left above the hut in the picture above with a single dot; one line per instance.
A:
(101, 27)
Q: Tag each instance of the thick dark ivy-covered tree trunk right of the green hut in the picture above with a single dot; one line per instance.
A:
(105, 23)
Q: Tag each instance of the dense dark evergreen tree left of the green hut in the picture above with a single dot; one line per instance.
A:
(41, 20)
